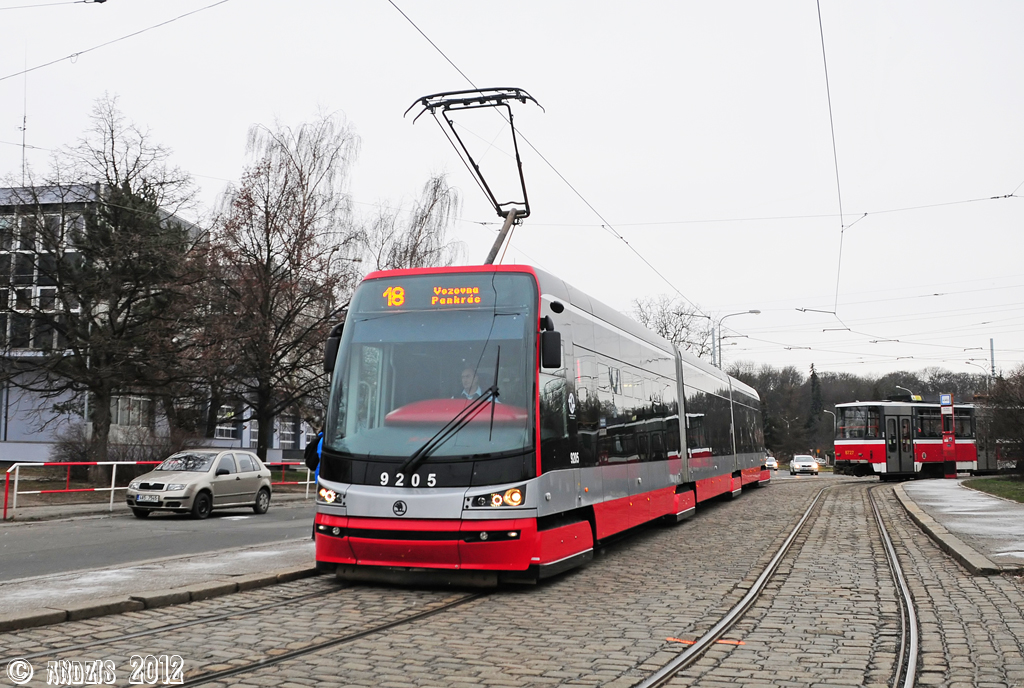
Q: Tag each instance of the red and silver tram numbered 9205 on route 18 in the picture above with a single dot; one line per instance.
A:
(498, 422)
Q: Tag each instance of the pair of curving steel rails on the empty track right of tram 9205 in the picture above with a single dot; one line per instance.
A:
(906, 667)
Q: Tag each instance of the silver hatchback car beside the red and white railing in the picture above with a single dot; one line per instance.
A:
(201, 481)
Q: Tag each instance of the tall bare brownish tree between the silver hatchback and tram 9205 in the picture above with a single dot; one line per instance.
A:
(284, 268)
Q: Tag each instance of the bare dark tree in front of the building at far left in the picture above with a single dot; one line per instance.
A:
(101, 264)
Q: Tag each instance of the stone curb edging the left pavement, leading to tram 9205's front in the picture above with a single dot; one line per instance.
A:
(153, 600)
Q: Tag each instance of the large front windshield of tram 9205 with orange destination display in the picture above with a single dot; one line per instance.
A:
(417, 351)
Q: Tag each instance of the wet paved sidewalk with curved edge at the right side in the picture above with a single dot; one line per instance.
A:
(984, 533)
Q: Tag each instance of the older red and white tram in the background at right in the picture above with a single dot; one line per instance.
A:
(902, 439)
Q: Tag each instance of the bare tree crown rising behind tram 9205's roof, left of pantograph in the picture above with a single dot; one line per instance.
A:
(420, 240)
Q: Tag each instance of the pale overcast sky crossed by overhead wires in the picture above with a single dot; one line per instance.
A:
(700, 132)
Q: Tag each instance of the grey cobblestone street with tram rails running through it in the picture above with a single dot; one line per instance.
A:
(830, 617)
